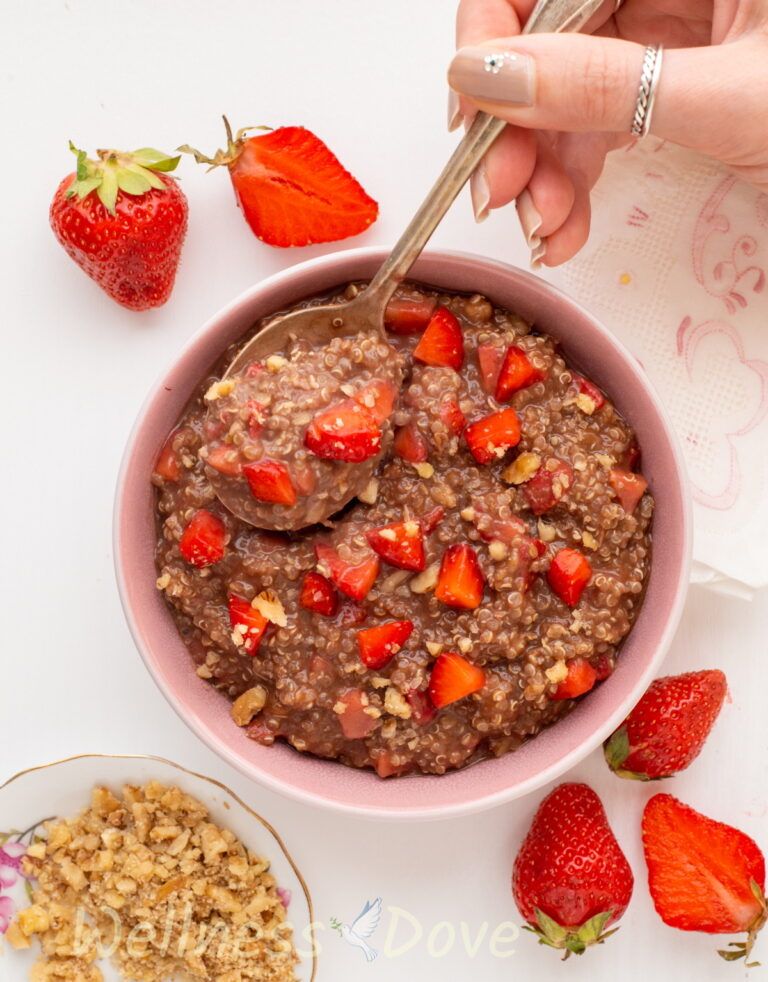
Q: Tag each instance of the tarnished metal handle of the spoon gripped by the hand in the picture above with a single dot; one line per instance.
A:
(548, 16)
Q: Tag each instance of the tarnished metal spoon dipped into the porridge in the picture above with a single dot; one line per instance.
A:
(365, 313)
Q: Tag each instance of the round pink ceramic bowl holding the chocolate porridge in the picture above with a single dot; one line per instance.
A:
(327, 783)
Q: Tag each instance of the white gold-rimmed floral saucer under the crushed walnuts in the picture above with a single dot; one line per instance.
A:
(62, 789)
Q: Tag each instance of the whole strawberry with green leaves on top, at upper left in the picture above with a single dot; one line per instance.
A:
(123, 222)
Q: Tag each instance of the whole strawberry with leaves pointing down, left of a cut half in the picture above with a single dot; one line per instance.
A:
(571, 879)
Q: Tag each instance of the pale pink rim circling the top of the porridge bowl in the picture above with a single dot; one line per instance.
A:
(491, 799)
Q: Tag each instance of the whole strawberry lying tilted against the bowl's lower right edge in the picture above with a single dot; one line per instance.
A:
(666, 730)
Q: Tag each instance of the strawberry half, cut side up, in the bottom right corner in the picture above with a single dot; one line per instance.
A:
(703, 875)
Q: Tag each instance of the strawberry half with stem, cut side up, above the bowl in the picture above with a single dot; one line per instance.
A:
(292, 190)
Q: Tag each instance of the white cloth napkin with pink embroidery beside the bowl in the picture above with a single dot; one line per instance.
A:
(676, 265)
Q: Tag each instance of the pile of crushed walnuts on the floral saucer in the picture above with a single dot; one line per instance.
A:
(148, 880)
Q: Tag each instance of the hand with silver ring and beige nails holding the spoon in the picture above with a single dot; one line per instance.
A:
(571, 98)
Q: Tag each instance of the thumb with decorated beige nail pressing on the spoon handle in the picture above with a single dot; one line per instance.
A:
(582, 83)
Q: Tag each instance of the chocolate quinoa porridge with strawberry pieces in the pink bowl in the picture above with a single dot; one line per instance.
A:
(484, 579)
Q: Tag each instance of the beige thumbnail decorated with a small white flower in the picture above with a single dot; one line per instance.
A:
(494, 76)
